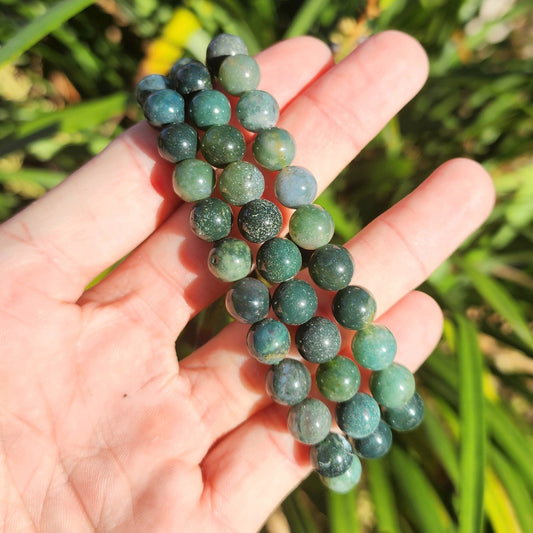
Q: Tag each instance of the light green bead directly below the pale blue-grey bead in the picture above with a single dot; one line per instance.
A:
(311, 227)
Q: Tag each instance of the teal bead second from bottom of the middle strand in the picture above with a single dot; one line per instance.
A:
(359, 416)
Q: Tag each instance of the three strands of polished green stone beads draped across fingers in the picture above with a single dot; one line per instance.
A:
(185, 107)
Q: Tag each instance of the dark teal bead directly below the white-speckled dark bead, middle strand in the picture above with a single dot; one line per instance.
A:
(278, 260)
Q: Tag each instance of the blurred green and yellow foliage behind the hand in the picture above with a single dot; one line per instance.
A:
(468, 467)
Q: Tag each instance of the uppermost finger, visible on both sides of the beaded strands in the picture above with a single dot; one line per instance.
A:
(115, 201)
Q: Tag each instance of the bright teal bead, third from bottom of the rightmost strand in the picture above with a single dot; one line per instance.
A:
(374, 347)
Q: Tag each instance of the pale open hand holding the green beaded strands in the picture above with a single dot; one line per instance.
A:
(100, 428)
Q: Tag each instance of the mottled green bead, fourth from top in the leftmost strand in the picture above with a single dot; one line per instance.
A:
(193, 180)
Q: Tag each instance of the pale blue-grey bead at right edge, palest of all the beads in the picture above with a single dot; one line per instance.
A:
(295, 186)
